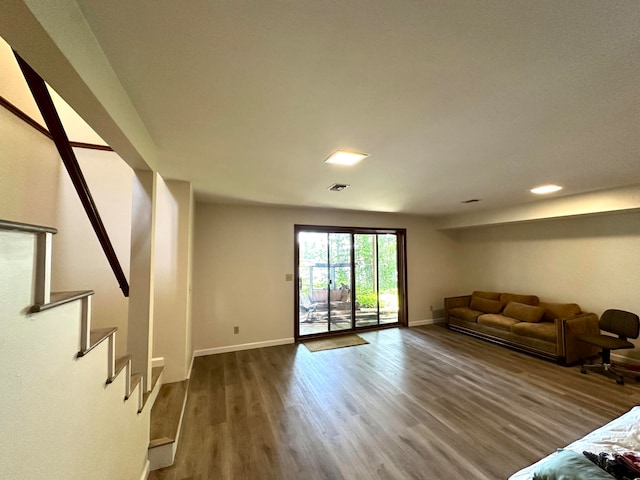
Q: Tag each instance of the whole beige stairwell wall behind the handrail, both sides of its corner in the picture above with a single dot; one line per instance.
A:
(35, 188)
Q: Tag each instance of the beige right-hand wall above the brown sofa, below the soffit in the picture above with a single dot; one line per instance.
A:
(593, 261)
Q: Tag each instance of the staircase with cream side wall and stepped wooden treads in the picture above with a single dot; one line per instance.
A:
(68, 407)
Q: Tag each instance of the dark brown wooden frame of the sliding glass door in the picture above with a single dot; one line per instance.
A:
(401, 236)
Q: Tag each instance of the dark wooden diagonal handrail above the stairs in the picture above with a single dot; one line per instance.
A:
(50, 115)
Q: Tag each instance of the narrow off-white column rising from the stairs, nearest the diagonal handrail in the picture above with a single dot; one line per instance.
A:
(143, 221)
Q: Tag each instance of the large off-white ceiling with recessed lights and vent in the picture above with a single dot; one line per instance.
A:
(452, 99)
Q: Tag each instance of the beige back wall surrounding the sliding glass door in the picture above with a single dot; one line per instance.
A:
(242, 254)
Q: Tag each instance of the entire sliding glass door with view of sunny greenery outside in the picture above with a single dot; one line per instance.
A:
(348, 279)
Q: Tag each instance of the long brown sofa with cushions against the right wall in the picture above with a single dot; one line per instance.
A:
(525, 323)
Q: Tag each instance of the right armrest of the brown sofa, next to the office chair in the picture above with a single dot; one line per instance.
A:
(567, 329)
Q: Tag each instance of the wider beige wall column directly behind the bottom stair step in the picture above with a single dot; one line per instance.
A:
(172, 307)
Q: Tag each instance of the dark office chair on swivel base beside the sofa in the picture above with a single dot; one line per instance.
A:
(624, 325)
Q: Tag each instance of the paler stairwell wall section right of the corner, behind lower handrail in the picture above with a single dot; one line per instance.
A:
(79, 262)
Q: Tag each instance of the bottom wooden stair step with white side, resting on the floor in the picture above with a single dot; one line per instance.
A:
(166, 414)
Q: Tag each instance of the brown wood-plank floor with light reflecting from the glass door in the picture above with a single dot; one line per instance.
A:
(420, 403)
